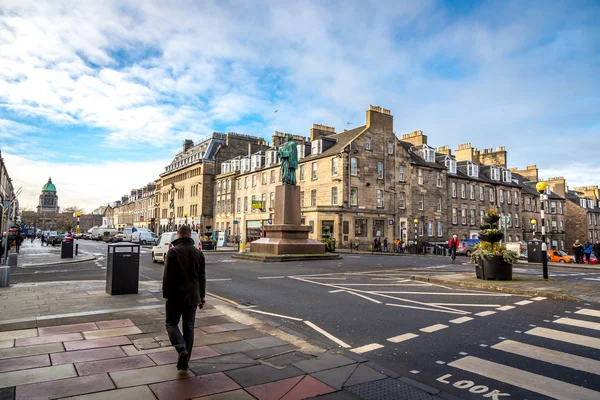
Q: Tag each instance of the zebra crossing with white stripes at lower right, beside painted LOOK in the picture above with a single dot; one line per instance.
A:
(558, 361)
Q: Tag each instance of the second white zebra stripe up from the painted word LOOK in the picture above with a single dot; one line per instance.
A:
(550, 356)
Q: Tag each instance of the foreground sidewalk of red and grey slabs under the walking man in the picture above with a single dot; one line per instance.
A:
(72, 340)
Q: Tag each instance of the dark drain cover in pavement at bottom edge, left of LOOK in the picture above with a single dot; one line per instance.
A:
(388, 389)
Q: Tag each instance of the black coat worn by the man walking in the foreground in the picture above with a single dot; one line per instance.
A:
(184, 277)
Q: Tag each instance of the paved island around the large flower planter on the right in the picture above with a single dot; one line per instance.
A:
(521, 284)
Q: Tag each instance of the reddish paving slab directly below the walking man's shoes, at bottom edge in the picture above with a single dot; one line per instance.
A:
(194, 387)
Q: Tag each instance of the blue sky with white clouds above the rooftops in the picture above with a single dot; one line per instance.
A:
(100, 95)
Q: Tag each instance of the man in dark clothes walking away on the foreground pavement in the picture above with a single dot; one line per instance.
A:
(184, 288)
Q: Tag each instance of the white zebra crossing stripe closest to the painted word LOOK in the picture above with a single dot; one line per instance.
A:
(526, 380)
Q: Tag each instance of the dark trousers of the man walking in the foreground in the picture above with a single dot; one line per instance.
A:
(178, 310)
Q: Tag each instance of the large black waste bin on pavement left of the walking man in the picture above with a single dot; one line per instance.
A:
(123, 269)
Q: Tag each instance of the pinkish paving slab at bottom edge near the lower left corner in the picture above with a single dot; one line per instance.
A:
(65, 387)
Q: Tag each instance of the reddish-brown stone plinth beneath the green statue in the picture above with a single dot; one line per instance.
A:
(287, 235)
